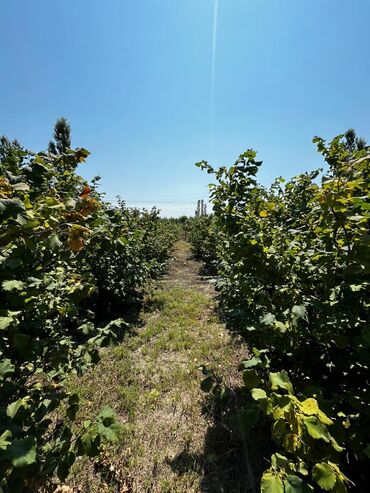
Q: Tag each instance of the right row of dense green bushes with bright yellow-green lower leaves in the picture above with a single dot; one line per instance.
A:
(294, 264)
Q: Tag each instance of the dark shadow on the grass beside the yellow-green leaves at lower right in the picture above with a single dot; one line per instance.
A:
(232, 461)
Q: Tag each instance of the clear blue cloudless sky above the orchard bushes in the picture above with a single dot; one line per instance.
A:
(150, 86)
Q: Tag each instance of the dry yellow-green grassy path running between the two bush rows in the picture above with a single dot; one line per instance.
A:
(171, 442)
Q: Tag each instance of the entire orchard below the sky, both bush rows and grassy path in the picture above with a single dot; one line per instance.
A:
(222, 353)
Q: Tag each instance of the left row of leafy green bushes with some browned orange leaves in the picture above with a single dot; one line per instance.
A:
(72, 269)
